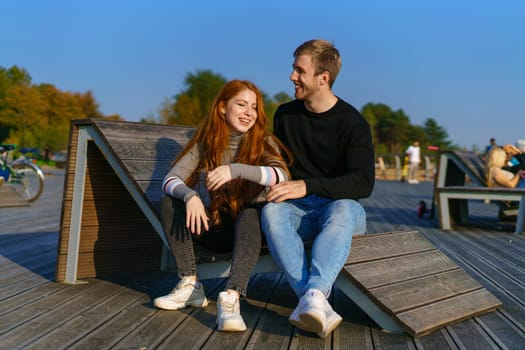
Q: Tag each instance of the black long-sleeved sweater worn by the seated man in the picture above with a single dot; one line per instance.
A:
(333, 151)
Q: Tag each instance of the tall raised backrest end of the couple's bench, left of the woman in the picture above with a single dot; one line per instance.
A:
(109, 218)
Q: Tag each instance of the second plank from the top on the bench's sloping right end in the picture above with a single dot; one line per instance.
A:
(393, 270)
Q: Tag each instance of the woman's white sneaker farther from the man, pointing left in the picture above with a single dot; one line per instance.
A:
(186, 293)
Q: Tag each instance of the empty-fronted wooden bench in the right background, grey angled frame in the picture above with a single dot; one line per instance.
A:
(452, 192)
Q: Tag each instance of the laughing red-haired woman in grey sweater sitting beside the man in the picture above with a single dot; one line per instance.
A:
(214, 193)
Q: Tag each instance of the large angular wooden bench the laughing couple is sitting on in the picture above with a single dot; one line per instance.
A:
(110, 224)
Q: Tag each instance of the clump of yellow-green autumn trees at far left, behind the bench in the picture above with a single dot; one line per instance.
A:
(39, 115)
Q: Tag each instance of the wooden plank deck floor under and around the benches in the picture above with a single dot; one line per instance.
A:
(117, 312)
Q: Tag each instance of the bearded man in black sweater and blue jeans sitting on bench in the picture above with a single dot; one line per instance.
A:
(333, 167)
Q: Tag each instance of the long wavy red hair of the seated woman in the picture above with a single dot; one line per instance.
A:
(213, 137)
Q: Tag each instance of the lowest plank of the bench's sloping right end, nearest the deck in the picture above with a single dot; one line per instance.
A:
(425, 319)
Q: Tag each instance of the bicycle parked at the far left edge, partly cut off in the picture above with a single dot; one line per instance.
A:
(26, 177)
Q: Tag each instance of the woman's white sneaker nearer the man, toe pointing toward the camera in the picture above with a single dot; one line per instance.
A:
(229, 317)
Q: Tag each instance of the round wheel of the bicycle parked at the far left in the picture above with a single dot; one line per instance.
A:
(28, 180)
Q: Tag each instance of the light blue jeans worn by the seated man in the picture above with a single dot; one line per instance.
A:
(328, 223)
